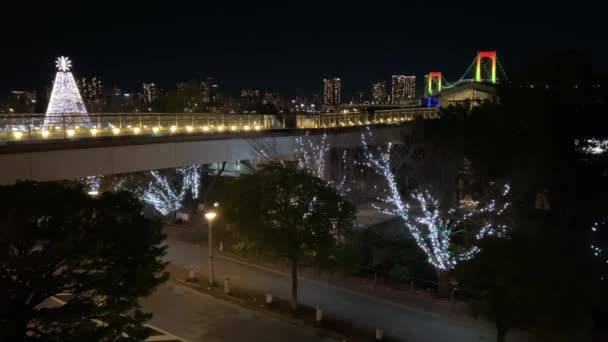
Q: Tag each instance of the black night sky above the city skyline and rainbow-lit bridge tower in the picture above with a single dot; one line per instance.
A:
(288, 47)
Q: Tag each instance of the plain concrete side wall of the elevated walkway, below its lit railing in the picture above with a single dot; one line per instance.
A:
(71, 162)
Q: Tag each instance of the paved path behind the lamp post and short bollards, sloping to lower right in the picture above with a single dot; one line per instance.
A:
(408, 316)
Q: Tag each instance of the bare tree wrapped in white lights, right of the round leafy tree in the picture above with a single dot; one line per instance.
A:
(433, 226)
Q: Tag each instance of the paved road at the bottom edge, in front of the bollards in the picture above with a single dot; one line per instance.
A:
(198, 317)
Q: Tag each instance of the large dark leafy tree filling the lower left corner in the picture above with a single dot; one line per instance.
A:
(100, 254)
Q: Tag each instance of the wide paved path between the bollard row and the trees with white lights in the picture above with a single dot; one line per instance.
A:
(404, 322)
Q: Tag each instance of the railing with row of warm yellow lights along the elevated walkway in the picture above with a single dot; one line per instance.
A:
(35, 127)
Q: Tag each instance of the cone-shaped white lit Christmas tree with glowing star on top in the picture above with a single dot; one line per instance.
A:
(66, 105)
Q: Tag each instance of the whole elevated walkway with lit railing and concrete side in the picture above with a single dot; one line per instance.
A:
(122, 143)
